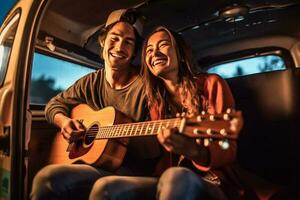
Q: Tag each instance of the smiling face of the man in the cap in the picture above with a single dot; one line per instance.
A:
(118, 47)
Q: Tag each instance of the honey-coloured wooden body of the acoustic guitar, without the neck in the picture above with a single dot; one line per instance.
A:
(106, 153)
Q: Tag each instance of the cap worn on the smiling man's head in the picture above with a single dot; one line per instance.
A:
(127, 15)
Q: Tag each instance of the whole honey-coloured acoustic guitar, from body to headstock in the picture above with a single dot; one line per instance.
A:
(108, 132)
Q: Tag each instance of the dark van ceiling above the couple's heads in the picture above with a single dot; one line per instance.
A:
(75, 24)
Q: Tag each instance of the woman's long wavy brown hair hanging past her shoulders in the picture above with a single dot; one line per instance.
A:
(155, 89)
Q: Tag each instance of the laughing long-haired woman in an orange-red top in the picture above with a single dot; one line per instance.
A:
(172, 87)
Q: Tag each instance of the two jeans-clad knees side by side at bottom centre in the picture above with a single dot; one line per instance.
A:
(175, 183)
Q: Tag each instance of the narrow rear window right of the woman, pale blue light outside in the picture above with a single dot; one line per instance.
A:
(249, 66)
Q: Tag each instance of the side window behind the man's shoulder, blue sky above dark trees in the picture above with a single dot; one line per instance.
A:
(52, 75)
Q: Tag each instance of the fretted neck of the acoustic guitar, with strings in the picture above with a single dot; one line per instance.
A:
(147, 128)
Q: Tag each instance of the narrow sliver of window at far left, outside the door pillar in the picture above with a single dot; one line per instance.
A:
(6, 41)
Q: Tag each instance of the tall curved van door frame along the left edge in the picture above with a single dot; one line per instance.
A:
(19, 73)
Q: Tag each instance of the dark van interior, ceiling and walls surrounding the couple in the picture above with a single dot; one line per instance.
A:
(218, 31)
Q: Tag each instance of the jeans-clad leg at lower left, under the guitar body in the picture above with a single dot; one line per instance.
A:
(65, 182)
